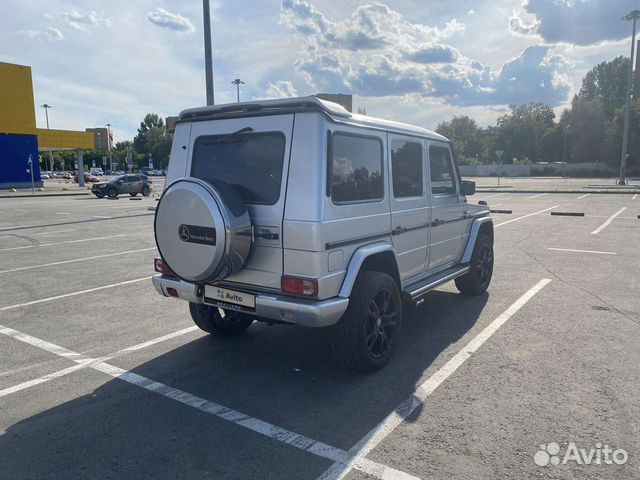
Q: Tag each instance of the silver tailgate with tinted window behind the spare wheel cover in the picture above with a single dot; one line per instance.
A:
(255, 162)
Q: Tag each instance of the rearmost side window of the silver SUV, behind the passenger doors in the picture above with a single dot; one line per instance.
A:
(356, 169)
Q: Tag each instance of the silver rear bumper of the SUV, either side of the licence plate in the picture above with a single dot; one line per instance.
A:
(309, 313)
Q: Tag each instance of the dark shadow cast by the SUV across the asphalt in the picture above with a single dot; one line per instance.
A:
(283, 375)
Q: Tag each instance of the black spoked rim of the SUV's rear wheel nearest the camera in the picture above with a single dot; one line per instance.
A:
(381, 321)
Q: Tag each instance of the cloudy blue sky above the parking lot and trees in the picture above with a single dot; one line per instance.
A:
(416, 61)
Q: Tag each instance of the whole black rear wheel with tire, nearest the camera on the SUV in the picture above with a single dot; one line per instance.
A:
(367, 333)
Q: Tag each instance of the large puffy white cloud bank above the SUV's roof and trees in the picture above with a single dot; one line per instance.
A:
(417, 61)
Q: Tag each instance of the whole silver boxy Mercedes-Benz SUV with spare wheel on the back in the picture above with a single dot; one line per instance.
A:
(297, 211)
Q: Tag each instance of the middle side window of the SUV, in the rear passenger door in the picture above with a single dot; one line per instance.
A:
(406, 162)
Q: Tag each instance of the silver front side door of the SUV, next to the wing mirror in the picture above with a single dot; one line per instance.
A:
(447, 208)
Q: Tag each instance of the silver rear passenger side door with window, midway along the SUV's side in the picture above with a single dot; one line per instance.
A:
(409, 203)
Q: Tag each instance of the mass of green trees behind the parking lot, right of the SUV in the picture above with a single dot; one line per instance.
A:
(589, 131)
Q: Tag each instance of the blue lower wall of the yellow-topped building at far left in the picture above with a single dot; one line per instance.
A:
(14, 154)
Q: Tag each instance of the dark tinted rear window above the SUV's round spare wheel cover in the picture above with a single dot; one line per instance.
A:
(251, 163)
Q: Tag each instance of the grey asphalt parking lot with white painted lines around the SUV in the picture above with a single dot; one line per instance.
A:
(102, 378)
